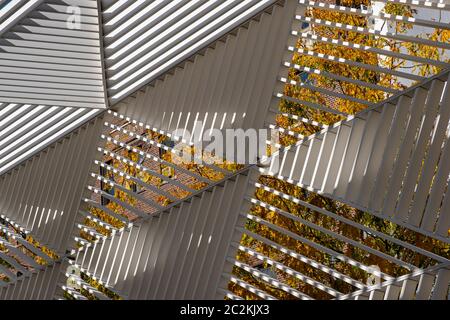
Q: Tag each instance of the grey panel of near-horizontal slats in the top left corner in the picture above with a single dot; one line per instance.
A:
(28, 43)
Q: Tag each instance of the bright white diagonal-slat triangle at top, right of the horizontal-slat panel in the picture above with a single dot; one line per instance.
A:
(144, 39)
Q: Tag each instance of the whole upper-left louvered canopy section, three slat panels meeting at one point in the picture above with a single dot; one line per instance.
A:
(55, 75)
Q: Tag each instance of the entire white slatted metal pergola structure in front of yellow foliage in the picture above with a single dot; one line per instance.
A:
(83, 83)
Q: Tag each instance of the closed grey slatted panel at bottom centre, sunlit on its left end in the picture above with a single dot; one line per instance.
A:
(140, 262)
